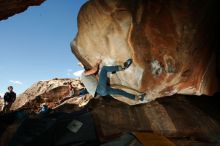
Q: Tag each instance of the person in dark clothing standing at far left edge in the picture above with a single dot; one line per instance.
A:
(9, 99)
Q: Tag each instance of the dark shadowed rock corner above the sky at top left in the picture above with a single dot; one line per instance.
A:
(12, 7)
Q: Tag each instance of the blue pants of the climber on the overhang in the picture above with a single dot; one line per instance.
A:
(103, 89)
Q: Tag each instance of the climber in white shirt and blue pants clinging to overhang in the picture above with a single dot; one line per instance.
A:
(96, 84)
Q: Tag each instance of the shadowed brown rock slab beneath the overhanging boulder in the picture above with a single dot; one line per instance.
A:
(186, 120)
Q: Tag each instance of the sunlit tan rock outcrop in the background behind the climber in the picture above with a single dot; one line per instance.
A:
(50, 92)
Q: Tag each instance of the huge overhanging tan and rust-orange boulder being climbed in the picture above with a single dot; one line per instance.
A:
(172, 44)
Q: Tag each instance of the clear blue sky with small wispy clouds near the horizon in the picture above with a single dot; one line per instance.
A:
(35, 44)
